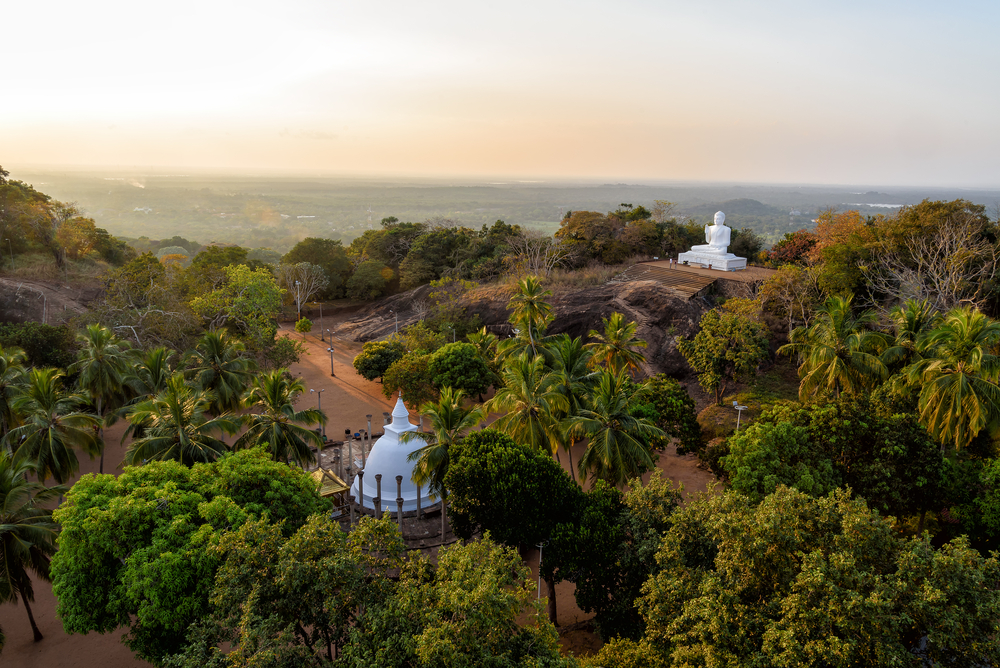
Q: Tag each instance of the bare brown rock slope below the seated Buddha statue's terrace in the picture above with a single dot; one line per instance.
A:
(660, 314)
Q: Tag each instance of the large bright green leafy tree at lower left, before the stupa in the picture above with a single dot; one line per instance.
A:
(136, 551)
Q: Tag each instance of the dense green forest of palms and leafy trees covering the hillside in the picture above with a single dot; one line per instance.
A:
(853, 522)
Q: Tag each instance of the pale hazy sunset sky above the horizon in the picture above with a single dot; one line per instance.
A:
(820, 92)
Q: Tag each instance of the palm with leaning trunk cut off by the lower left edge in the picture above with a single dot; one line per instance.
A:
(27, 532)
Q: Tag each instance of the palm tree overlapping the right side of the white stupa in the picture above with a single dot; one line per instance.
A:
(449, 422)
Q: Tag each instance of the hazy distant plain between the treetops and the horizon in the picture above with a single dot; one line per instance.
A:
(277, 212)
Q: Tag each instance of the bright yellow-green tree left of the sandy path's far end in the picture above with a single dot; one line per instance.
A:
(248, 301)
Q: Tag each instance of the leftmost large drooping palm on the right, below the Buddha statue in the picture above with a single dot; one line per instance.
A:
(838, 352)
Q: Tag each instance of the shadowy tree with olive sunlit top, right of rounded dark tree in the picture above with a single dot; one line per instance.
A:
(609, 550)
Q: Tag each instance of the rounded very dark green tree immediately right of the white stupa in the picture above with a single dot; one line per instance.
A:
(517, 494)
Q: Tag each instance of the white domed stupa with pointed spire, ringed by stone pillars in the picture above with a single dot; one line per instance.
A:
(388, 457)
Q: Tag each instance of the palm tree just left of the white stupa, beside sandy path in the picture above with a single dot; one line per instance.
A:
(278, 423)
